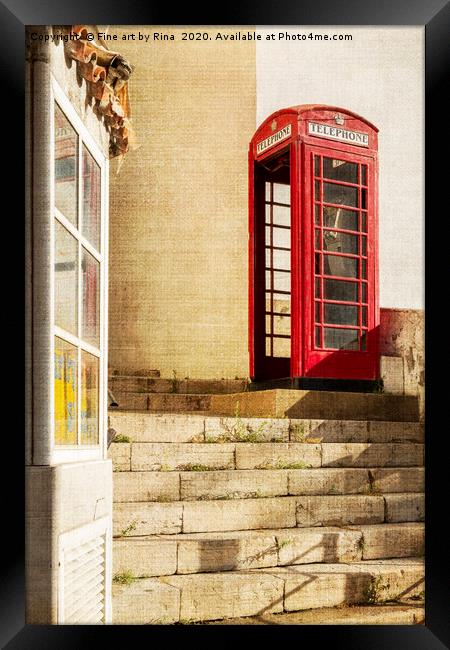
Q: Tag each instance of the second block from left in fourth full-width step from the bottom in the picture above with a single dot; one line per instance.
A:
(242, 484)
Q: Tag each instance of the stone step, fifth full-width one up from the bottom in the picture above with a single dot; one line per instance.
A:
(172, 456)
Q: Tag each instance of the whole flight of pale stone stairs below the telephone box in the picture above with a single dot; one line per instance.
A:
(220, 517)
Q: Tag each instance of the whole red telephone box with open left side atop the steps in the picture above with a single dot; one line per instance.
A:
(313, 246)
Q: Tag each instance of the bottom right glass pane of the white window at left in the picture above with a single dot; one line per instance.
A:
(89, 399)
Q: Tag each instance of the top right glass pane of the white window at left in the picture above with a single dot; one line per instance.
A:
(91, 199)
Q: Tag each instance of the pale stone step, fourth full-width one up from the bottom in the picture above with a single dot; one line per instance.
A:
(135, 486)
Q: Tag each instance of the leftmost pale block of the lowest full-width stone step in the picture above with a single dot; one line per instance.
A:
(146, 601)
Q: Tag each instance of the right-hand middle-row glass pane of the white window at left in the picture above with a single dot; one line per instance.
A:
(91, 299)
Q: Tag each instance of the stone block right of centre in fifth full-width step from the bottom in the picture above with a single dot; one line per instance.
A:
(277, 455)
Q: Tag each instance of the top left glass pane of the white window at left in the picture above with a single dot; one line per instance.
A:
(66, 171)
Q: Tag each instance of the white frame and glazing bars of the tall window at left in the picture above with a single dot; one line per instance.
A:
(79, 452)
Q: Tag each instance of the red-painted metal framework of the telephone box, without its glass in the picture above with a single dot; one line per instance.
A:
(306, 360)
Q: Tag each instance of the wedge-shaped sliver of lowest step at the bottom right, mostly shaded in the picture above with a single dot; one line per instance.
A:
(402, 613)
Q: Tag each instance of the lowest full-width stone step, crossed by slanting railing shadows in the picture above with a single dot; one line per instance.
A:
(215, 596)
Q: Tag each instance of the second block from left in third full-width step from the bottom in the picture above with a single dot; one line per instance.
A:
(241, 514)
